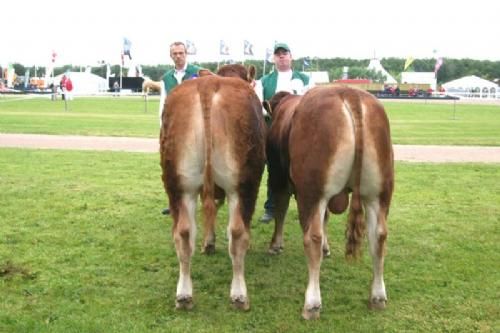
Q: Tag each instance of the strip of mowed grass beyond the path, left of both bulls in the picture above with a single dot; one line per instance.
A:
(119, 116)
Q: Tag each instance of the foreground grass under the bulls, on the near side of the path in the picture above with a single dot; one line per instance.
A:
(83, 248)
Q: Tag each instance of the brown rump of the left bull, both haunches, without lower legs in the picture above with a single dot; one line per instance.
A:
(231, 112)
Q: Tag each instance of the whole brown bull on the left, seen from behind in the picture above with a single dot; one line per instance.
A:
(213, 136)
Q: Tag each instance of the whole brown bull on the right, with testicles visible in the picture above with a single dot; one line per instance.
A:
(322, 146)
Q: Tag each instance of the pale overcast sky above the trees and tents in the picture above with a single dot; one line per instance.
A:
(86, 31)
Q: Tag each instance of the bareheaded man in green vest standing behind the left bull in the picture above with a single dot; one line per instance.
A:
(182, 71)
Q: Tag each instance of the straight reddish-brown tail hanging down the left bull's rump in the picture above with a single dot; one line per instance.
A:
(207, 193)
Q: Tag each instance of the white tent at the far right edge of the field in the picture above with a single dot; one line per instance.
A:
(472, 86)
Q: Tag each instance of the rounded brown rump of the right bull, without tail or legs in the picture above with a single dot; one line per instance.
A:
(323, 142)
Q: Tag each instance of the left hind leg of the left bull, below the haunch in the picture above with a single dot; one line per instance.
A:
(184, 233)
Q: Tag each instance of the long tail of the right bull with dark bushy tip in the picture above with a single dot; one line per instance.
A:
(355, 224)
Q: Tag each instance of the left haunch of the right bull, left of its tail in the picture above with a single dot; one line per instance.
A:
(322, 130)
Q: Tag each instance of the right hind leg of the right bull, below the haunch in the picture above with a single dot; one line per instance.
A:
(376, 216)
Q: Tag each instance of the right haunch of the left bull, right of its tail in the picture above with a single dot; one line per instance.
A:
(238, 133)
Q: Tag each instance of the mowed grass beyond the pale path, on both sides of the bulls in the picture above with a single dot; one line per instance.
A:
(411, 123)
